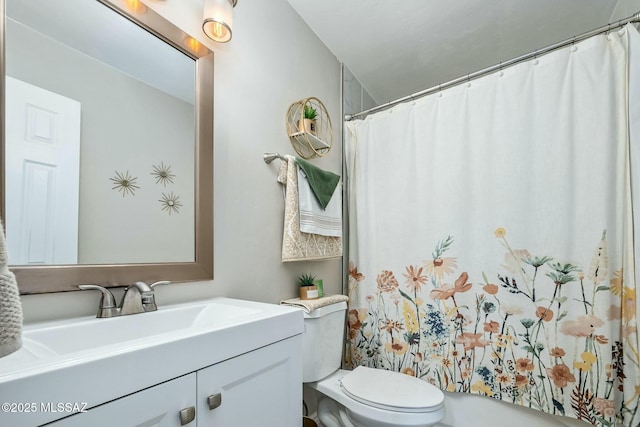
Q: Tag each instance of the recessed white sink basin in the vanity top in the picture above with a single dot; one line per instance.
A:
(77, 335)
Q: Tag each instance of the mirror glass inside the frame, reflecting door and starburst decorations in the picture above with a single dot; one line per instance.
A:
(78, 186)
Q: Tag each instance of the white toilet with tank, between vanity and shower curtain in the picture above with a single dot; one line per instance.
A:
(364, 397)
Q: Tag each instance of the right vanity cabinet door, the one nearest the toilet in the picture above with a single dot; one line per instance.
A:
(259, 388)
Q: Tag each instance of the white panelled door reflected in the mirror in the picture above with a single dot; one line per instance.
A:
(42, 175)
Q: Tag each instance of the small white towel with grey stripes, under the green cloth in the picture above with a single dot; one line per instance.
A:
(314, 219)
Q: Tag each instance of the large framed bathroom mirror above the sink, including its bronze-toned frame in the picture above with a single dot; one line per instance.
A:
(114, 105)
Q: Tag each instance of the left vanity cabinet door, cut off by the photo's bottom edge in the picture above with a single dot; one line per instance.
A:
(158, 406)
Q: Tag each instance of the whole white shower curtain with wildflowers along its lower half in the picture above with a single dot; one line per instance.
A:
(491, 240)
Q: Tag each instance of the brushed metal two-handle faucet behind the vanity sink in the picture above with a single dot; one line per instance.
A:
(137, 298)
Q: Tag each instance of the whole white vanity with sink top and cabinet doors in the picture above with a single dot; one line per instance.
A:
(220, 362)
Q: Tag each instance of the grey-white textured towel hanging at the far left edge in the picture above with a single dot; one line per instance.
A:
(10, 306)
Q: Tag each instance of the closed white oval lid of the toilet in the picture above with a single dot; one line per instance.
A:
(392, 391)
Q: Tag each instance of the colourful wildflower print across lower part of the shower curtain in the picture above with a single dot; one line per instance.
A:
(530, 335)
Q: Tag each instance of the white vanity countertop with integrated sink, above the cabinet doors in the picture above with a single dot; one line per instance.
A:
(92, 361)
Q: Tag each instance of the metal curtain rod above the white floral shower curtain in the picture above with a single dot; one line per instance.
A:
(604, 29)
